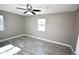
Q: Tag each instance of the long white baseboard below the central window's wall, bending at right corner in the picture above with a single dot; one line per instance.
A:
(59, 43)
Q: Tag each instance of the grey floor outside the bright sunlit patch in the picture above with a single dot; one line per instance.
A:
(33, 46)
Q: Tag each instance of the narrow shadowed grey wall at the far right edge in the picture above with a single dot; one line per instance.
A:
(75, 39)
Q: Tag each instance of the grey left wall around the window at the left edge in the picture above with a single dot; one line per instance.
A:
(13, 24)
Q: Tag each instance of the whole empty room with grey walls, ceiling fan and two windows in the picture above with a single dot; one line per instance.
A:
(39, 29)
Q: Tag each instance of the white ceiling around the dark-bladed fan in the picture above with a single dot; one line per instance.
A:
(45, 8)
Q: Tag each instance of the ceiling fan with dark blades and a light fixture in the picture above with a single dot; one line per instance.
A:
(29, 9)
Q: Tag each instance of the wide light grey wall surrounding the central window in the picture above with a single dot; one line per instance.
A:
(60, 27)
